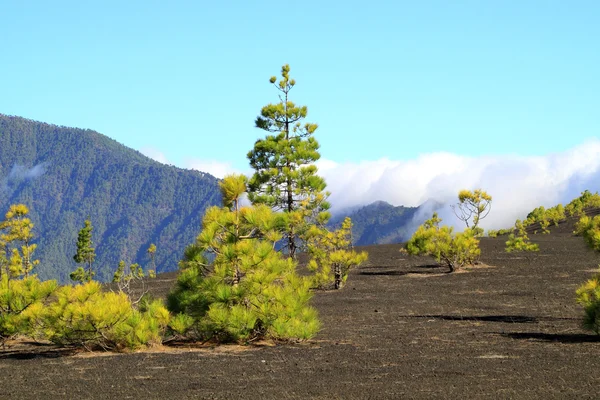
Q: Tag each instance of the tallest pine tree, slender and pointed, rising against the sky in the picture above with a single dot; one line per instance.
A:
(285, 176)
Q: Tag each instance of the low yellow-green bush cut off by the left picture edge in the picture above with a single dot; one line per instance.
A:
(21, 304)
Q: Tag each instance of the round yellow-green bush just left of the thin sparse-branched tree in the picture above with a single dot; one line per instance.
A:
(454, 250)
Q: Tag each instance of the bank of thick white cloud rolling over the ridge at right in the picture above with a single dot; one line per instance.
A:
(517, 184)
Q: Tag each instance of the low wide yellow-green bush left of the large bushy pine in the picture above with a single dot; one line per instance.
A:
(84, 315)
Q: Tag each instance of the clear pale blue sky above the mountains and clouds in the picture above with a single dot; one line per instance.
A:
(382, 78)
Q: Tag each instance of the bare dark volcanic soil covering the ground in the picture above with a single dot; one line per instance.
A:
(402, 328)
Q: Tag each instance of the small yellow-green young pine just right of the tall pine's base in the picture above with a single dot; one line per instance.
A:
(331, 255)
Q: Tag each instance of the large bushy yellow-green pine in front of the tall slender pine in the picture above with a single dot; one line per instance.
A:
(247, 290)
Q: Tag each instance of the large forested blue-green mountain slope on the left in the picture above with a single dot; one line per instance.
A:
(65, 175)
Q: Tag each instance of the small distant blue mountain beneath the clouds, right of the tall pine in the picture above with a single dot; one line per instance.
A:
(380, 223)
